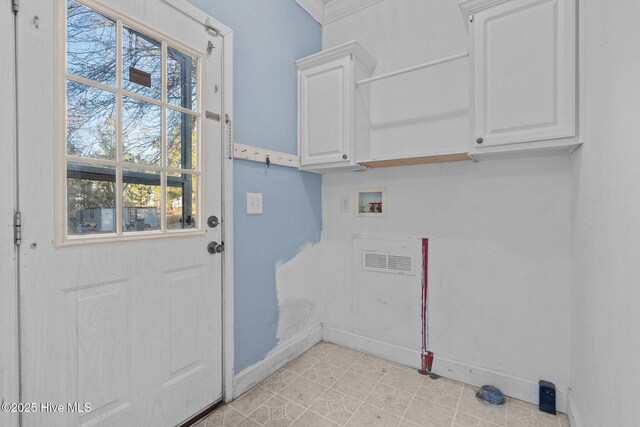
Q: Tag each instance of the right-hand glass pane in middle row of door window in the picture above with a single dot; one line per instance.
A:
(181, 140)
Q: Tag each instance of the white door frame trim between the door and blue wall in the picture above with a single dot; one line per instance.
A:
(228, 366)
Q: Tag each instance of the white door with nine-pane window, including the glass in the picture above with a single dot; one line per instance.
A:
(120, 299)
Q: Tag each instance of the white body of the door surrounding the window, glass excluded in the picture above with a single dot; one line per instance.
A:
(131, 327)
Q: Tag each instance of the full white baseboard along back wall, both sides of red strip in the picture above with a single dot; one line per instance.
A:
(520, 388)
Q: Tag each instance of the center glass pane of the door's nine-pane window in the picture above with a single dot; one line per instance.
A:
(141, 128)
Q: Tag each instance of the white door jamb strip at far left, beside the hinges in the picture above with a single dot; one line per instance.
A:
(8, 295)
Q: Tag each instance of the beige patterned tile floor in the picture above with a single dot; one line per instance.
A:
(333, 386)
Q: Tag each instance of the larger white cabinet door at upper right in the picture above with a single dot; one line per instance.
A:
(524, 72)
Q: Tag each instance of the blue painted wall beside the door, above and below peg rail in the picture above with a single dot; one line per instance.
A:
(268, 37)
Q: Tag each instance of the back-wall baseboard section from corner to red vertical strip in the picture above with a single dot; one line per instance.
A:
(392, 352)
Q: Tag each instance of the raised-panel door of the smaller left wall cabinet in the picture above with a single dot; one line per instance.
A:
(326, 113)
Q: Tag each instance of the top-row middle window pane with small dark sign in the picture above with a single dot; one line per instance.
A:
(141, 64)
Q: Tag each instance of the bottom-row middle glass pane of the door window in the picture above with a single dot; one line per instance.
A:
(141, 200)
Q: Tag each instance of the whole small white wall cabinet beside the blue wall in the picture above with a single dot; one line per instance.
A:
(333, 114)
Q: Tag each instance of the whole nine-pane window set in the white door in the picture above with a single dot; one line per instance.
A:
(132, 140)
